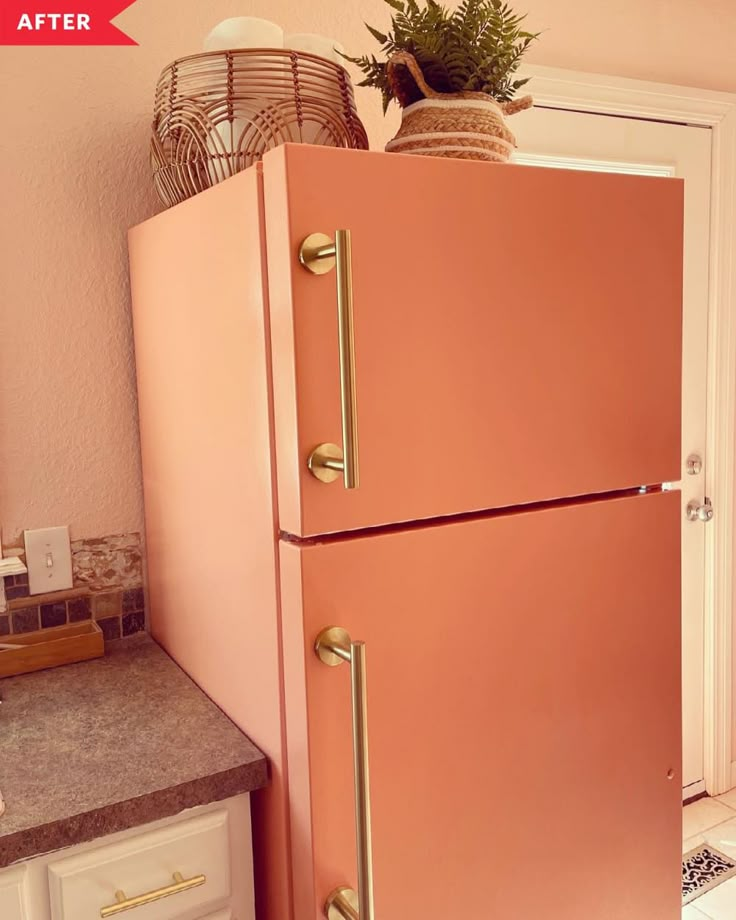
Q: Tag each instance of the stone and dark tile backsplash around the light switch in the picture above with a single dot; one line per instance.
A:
(107, 587)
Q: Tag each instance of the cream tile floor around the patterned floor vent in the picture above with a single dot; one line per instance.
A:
(712, 821)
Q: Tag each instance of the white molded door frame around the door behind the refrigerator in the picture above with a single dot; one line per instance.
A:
(609, 95)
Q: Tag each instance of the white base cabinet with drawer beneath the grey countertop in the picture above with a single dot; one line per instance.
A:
(213, 841)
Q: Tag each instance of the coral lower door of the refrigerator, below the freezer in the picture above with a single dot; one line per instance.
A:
(523, 704)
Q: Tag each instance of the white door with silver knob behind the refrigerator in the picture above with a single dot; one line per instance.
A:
(577, 140)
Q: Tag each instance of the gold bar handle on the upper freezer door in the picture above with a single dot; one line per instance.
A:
(320, 254)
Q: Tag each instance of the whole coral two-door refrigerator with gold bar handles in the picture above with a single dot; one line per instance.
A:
(407, 428)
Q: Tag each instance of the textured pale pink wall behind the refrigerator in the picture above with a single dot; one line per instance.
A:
(75, 153)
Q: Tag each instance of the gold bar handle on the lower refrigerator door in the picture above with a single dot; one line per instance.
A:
(333, 647)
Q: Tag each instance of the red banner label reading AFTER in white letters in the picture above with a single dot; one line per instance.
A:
(69, 22)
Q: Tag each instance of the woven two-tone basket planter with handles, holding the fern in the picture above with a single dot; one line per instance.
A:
(468, 126)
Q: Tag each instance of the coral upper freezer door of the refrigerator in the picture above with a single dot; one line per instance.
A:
(517, 333)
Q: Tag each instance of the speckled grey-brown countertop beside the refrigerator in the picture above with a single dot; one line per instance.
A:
(97, 747)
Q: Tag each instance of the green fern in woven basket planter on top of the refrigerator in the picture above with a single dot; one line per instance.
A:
(453, 73)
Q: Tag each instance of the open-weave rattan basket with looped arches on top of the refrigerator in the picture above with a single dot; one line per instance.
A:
(217, 113)
